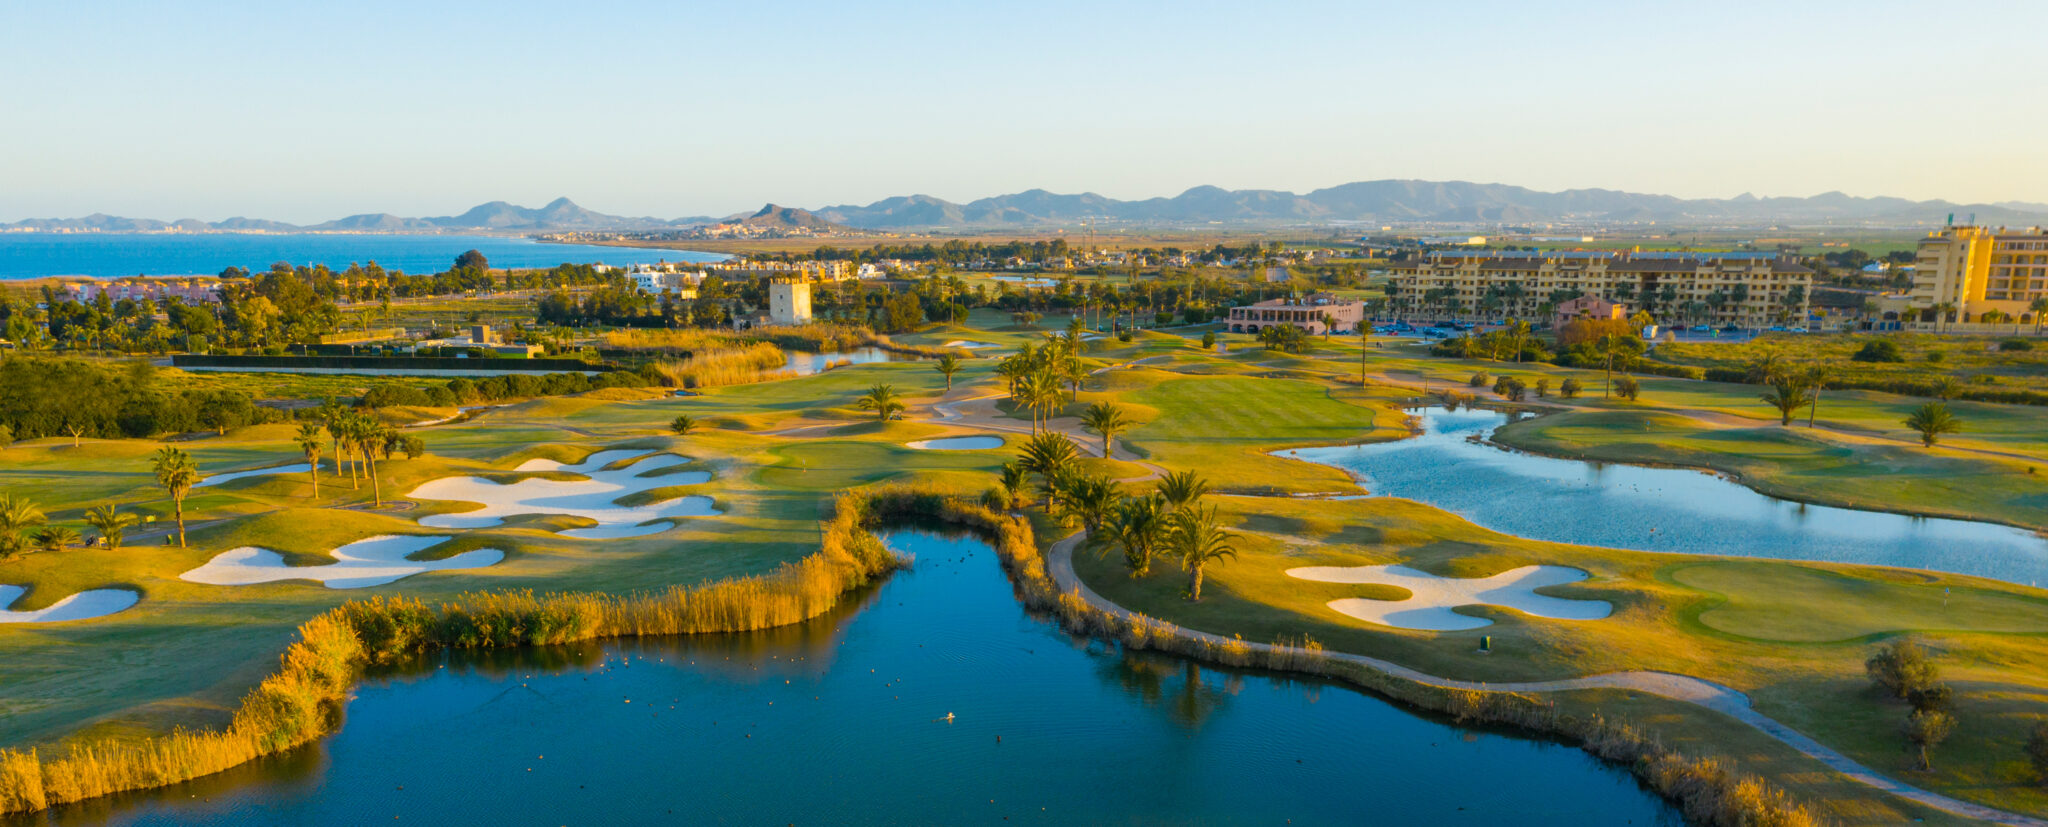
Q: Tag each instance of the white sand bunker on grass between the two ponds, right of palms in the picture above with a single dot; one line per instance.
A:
(1433, 599)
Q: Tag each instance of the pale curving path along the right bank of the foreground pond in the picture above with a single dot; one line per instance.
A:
(1693, 691)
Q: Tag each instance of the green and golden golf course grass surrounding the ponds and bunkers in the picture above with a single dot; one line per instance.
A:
(1791, 636)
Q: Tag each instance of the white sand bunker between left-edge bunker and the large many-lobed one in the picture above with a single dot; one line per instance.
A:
(368, 562)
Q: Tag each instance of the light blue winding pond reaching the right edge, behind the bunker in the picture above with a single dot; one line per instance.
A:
(1629, 507)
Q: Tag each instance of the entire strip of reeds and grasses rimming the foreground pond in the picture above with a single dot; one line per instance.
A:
(302, 701)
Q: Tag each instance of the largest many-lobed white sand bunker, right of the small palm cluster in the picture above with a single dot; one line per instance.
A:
(589, 498)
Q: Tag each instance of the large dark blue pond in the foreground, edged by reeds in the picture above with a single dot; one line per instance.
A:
(933, 699)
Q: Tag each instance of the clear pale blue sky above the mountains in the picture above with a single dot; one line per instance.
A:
(310, 112)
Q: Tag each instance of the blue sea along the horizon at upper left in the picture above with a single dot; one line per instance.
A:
(167, 255)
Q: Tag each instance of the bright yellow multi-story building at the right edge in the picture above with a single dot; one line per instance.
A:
(1971, 271)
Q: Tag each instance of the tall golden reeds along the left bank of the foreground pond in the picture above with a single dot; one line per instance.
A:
(300, 703)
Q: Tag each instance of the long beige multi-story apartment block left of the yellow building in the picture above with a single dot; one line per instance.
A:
(1750, 290)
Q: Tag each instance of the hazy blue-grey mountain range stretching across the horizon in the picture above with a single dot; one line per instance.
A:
(1369, 202)
